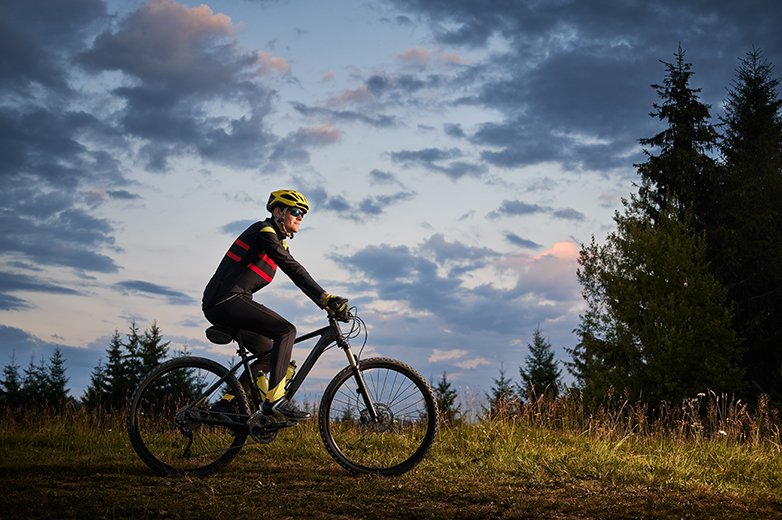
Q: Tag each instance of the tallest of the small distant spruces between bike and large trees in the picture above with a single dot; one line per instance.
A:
(539, 375)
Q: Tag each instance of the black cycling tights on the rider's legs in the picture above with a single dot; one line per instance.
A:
(264, 332)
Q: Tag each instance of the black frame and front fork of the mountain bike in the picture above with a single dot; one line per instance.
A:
(328, 335)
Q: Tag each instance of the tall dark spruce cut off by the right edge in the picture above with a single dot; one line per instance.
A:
(746, 238)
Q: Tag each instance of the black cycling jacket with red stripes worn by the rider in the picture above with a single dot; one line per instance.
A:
(251, 262)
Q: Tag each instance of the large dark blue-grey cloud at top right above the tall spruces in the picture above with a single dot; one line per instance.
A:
(571, 81)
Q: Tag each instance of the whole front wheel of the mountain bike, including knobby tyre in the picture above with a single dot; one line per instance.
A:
(405, 426)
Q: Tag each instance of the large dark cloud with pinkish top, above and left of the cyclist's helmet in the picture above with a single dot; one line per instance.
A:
(180, 61)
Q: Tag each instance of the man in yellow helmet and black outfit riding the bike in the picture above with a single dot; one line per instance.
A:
(248, 266)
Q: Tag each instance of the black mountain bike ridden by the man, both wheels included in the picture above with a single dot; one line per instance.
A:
(376, 416)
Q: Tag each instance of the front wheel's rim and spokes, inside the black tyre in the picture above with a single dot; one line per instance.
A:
(403, 429)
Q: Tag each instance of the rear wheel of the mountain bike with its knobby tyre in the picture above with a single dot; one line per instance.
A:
(171, 433)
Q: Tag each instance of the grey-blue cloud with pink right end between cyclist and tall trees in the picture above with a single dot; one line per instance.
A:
(438, 277)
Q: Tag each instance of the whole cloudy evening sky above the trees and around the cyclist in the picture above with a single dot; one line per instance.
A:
(456, 155)
